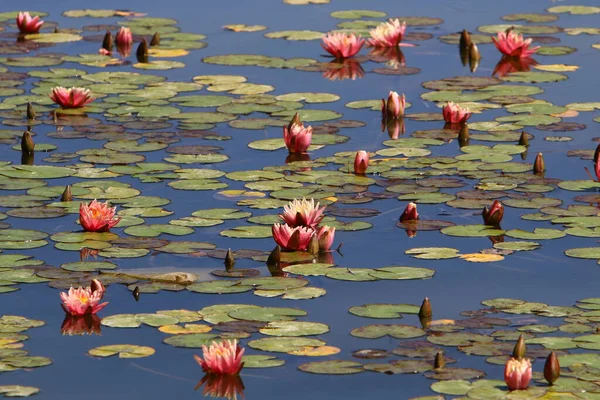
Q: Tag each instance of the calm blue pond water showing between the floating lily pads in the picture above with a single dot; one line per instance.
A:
(544, 275)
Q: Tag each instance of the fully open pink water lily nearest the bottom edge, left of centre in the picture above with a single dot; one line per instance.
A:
(223, 357)
